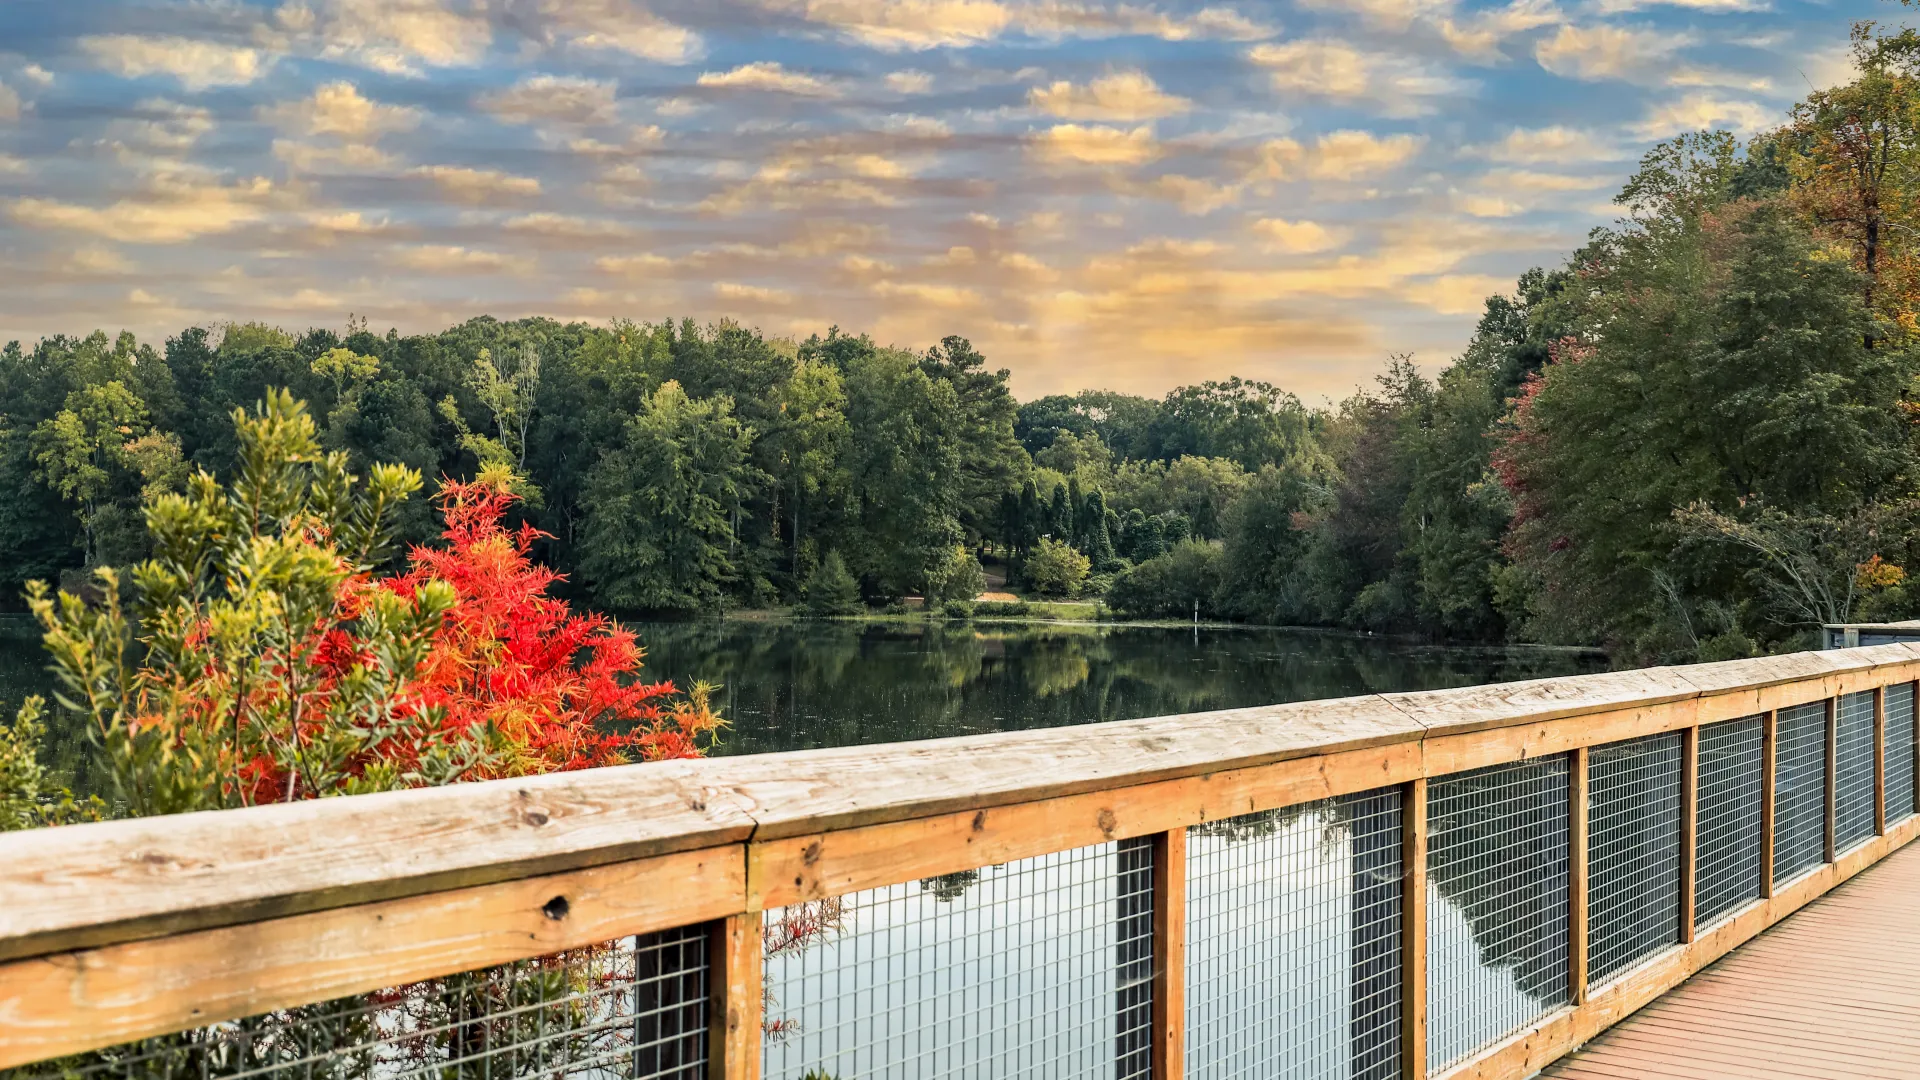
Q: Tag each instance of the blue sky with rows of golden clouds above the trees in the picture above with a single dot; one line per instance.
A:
(1097, 193)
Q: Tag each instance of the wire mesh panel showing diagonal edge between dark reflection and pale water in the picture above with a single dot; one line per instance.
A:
(1497, 904)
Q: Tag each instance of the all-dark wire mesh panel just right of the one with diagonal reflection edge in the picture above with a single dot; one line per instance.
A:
(1633, 900)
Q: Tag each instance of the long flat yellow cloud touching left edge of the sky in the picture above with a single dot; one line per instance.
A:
(170, 212)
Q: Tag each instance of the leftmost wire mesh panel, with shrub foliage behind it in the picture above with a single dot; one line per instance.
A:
(633, 1010)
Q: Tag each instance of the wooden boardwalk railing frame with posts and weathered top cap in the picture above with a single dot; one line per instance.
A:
(135, 929)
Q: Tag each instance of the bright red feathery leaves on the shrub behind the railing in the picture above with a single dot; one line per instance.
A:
(560, 687)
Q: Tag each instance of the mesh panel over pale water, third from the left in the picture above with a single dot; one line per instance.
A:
(1293, 943)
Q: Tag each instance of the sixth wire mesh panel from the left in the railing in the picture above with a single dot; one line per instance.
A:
(1727, 848)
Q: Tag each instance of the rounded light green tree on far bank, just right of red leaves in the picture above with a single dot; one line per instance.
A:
(661, 504)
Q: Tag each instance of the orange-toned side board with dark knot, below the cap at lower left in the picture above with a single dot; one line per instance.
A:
(85, 1000)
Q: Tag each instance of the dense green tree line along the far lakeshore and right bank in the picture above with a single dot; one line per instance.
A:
(1694, 439)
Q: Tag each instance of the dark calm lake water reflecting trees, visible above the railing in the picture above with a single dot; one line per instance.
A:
(794, 685)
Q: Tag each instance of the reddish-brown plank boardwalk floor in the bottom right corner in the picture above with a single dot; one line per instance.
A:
(1833, 993)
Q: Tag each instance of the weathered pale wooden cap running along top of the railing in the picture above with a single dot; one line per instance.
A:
(95, 885)
